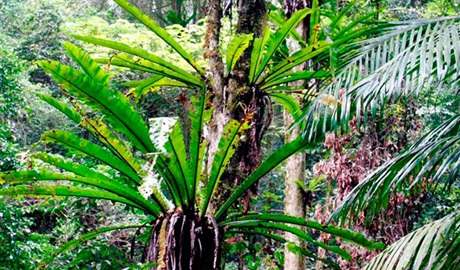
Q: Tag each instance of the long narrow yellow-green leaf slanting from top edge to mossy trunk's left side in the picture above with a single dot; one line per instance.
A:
(160, 32)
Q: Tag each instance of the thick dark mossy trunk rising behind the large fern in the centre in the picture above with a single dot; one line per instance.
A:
(233, 98)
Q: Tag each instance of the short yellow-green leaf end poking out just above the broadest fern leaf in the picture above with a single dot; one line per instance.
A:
(89, 66)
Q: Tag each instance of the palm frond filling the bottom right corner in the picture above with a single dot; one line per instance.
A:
(433, 246)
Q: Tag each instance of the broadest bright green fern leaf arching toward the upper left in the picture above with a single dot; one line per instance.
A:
(116, 108)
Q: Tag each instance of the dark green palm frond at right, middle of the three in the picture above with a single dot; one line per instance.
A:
(432, 155)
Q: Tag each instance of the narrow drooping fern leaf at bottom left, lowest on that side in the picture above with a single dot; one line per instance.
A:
(77, 242)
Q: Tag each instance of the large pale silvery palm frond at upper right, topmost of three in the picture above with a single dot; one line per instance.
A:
(405, 59)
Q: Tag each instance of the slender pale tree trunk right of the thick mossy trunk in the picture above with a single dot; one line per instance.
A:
(295, 165)
